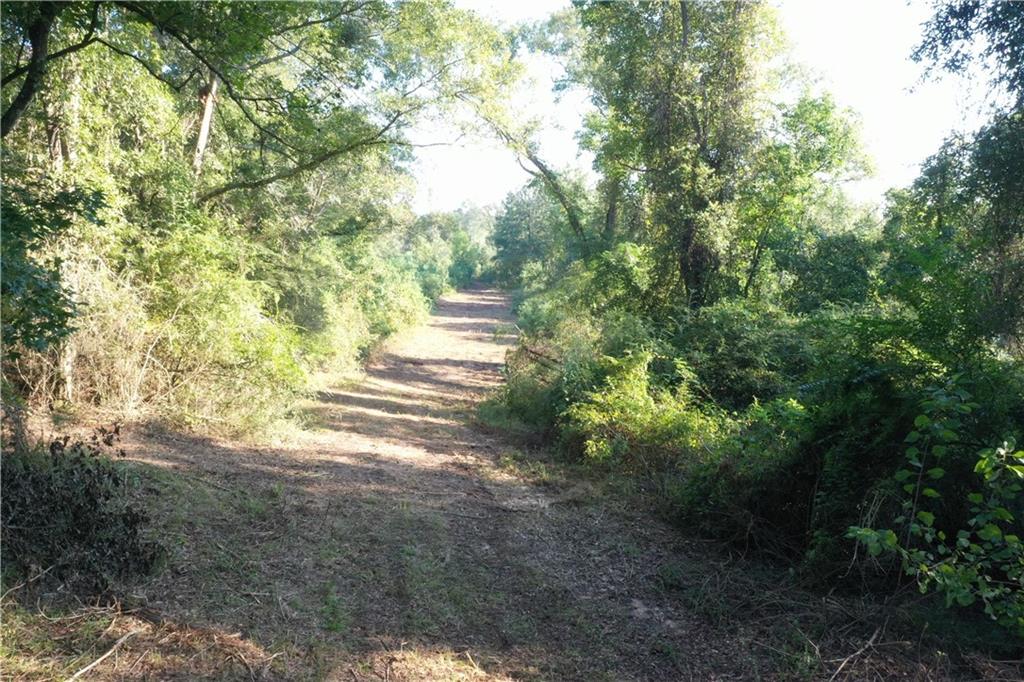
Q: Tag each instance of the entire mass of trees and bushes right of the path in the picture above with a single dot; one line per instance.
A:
(778, 366)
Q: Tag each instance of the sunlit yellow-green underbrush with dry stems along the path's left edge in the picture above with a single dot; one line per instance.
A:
(181, 333)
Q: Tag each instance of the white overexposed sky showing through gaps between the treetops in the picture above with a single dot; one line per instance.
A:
(861, 52)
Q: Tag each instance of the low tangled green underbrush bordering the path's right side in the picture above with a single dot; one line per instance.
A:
(779, 433)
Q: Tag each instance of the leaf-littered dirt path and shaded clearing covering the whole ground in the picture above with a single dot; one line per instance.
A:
(398, 538)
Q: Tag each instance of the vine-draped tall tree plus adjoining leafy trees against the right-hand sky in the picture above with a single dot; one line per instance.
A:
(695, 149)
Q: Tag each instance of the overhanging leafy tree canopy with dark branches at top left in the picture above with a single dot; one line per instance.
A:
(308, 82)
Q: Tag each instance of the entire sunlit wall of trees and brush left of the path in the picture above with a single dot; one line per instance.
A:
(206, 206)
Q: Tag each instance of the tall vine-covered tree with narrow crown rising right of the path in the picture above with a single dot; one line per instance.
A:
(679, 93)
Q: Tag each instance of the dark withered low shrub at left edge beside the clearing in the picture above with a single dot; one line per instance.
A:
(67, 510)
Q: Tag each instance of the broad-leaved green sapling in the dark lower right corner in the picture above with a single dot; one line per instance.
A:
(980, 561)
